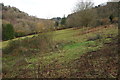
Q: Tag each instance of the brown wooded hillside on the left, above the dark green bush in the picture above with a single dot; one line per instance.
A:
(22, 22)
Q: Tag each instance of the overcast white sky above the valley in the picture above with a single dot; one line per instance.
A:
(46, 8)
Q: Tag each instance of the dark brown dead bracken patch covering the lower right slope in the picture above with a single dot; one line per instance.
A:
(102, 63)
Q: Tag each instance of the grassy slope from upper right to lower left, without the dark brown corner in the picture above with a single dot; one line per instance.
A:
(57, 64)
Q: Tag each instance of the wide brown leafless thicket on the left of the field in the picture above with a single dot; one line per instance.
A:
(41, 43)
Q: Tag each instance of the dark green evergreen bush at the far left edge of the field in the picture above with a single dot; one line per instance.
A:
(7, 31)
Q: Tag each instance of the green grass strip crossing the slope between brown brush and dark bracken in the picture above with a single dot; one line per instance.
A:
(73, 46)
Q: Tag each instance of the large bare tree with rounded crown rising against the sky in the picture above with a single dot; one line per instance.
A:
(83, 15)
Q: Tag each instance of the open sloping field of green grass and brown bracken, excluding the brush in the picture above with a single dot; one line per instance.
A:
(63, 62)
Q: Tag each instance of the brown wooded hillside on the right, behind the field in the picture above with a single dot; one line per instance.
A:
(96, 13)
